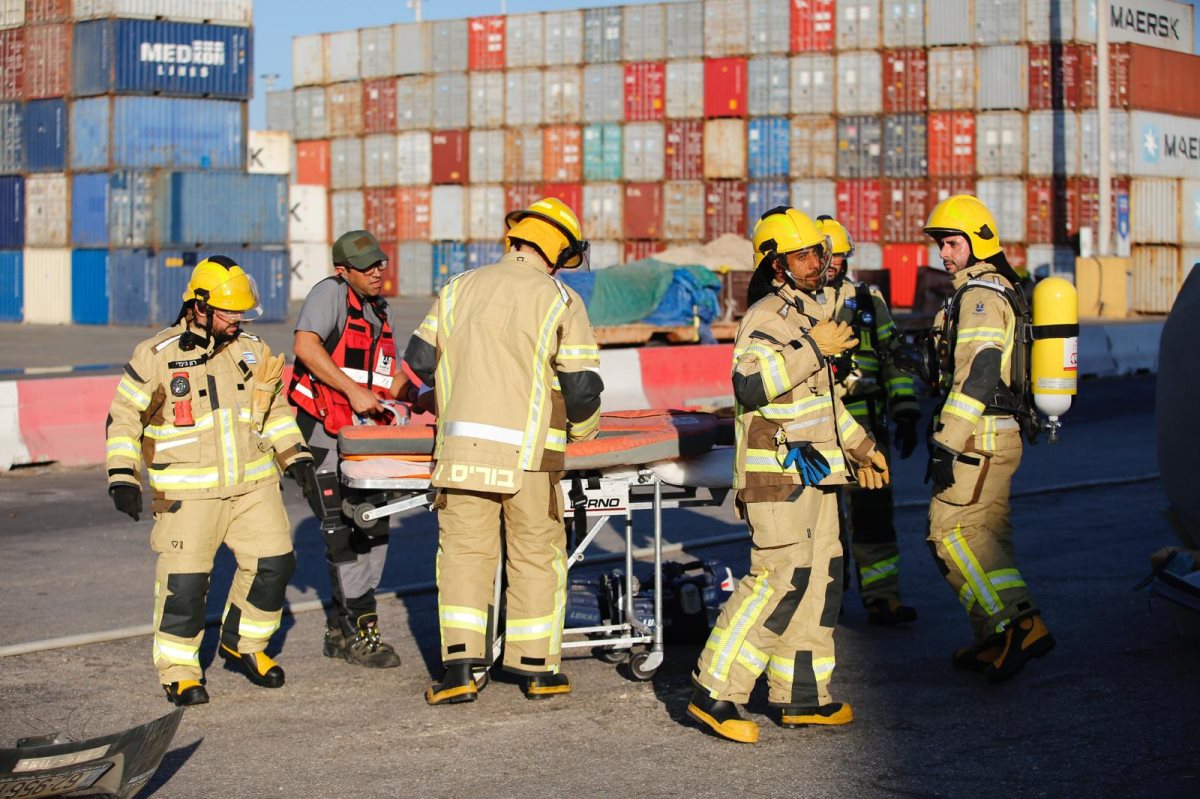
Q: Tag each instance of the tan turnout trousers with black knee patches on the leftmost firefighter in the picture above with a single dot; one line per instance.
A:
(187, 537)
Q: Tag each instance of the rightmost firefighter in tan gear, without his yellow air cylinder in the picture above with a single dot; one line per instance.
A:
(976, 446)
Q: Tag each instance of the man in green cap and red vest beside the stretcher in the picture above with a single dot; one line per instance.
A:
(345, 365)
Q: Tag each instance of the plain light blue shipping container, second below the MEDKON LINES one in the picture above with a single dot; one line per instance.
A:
(194, 209)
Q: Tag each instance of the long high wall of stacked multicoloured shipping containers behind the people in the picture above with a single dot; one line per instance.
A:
(680, 122)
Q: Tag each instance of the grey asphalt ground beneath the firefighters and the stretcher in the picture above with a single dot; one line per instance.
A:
(1112, 712)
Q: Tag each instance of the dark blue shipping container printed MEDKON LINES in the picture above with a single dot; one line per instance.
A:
(155, 57)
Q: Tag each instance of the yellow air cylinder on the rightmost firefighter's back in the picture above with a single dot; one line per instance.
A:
(1055, 362)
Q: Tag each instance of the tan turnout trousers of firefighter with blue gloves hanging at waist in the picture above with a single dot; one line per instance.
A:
(782, 617)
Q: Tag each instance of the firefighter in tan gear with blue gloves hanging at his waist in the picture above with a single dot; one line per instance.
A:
(796, 446)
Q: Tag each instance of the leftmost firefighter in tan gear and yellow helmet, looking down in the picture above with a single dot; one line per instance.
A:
(200, 407)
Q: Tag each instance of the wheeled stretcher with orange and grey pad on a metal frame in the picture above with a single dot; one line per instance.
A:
(641, 461)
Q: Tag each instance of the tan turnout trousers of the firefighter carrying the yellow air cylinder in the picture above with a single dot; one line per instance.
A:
(971, 537)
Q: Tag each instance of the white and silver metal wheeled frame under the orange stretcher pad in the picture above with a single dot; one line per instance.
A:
(608, 497)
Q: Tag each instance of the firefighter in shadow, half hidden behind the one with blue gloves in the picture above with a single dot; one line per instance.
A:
(874, 392)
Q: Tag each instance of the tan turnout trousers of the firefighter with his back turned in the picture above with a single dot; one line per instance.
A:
(469, 554)
